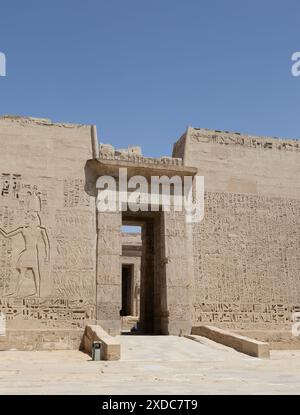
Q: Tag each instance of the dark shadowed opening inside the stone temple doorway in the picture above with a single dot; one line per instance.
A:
(153, 317)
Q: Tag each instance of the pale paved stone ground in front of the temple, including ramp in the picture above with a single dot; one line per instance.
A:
(151, 365)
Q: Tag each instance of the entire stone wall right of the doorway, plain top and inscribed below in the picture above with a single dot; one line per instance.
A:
(246, 250)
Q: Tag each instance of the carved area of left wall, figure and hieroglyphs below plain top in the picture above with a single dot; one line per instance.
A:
(47, 252)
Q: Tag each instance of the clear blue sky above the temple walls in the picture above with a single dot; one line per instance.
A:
(143, 70)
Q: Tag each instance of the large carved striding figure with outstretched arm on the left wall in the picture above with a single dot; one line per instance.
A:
(29, 259)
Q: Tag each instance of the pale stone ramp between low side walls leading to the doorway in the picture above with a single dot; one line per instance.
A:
(173, 349)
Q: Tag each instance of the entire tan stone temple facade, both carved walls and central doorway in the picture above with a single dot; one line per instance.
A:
(61, 261)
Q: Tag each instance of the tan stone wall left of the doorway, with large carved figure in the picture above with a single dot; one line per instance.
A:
(47, 232)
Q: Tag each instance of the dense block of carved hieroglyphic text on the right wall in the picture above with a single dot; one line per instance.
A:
(246, 252)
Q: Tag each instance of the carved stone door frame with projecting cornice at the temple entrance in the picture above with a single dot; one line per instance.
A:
(167, 273)
